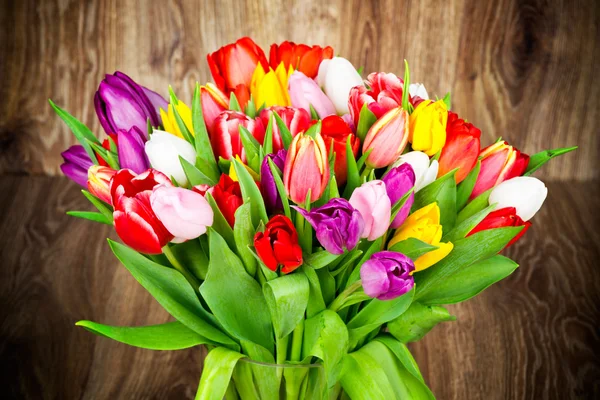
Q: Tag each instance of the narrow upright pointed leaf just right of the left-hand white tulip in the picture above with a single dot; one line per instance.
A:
(205, 158)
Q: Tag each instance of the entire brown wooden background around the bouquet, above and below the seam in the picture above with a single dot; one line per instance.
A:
(524, 70)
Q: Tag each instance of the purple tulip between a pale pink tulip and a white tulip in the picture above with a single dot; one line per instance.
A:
(398, 181)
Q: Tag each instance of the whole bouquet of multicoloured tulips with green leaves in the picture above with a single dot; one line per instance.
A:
(301, 222)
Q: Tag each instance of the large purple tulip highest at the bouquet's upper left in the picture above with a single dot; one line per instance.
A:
(121, 103)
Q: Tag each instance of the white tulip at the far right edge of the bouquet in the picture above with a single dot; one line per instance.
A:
(525, 193)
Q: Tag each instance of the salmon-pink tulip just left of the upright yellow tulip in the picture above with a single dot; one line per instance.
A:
(387, 138)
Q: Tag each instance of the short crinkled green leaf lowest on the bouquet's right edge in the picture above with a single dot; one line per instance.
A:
(417, 321)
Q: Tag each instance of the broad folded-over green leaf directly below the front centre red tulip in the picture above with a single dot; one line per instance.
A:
(287, 298)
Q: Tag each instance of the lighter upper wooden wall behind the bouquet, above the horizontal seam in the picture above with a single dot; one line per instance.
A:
(524, 70)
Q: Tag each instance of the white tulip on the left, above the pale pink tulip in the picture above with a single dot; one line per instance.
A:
(163, 151)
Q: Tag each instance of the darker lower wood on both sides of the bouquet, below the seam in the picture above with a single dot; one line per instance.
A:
(532, 336)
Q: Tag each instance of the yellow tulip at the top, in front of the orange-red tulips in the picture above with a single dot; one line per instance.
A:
(269, 88)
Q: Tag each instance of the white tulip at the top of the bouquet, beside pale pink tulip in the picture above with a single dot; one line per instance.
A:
(336, 77)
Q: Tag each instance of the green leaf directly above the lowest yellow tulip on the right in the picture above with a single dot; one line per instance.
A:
(442, 191)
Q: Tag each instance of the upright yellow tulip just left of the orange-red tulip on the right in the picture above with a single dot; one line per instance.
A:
(428, 127)
